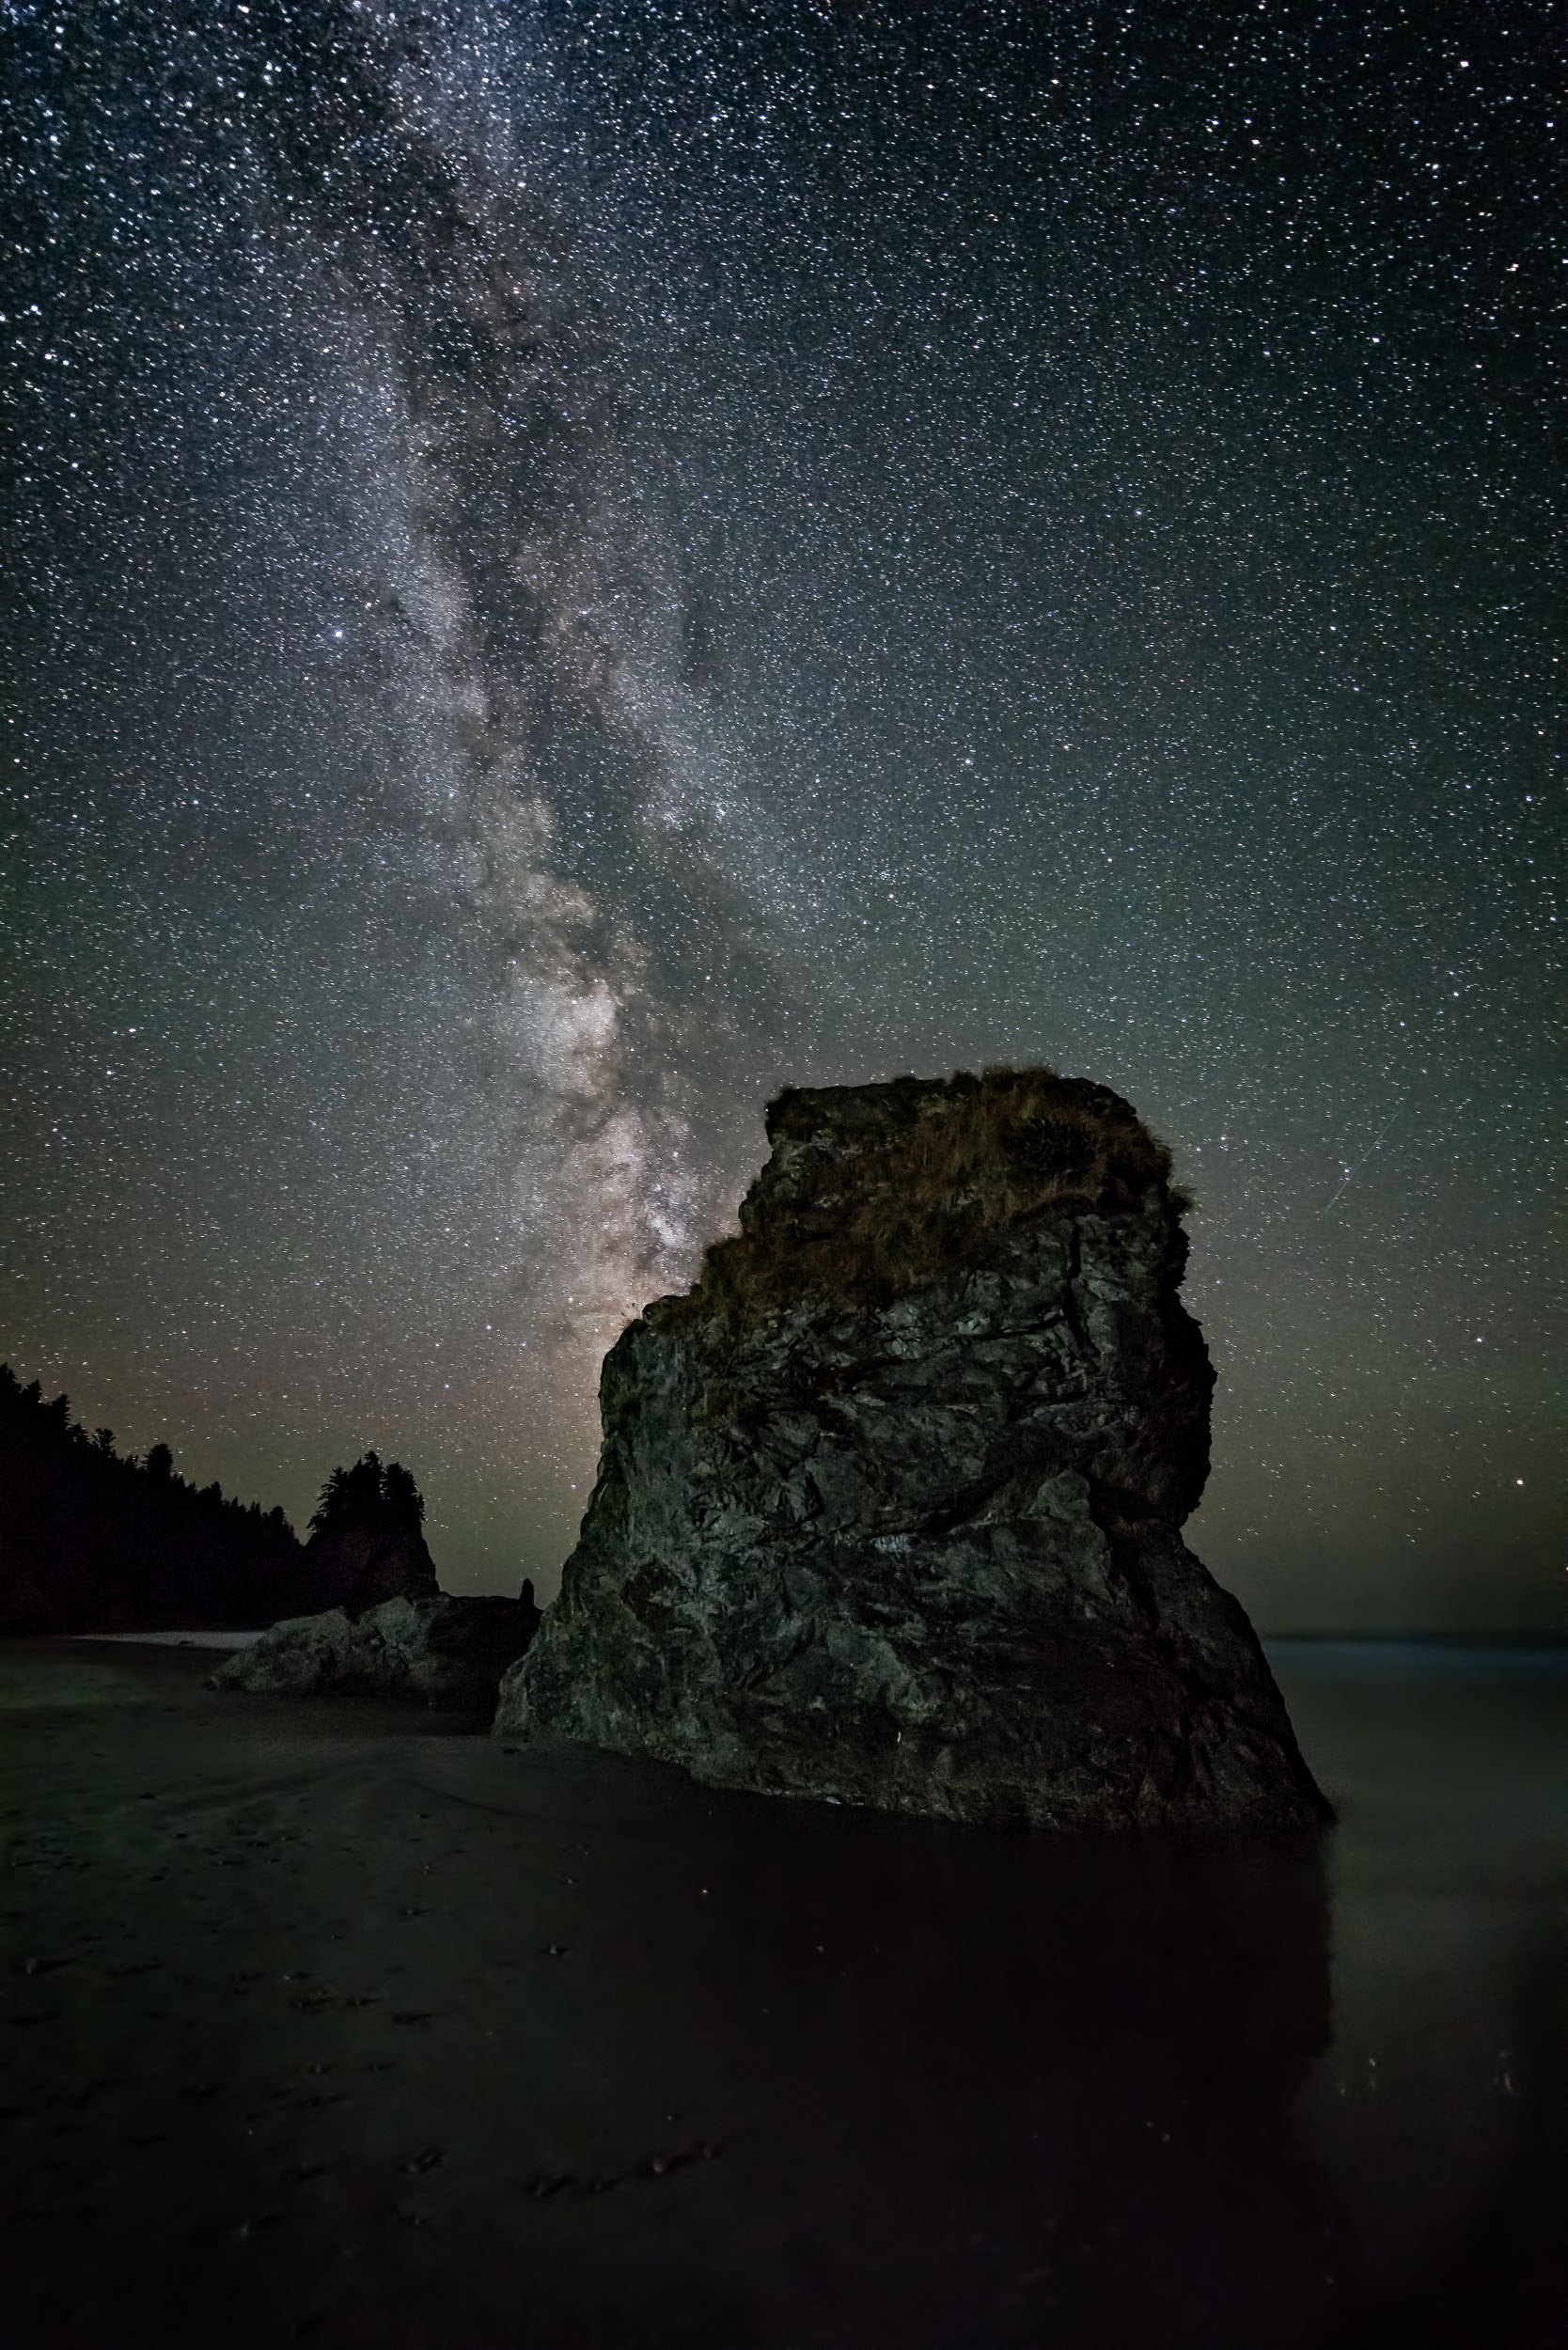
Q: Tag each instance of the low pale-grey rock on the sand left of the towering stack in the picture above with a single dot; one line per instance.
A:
(429, 1653)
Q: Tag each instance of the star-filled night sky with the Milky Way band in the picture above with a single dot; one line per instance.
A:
(575, 565)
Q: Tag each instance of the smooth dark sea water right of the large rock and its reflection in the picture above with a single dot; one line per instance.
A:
(1440, 2107)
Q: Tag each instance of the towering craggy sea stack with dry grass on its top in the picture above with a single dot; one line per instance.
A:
(890, 1505)
